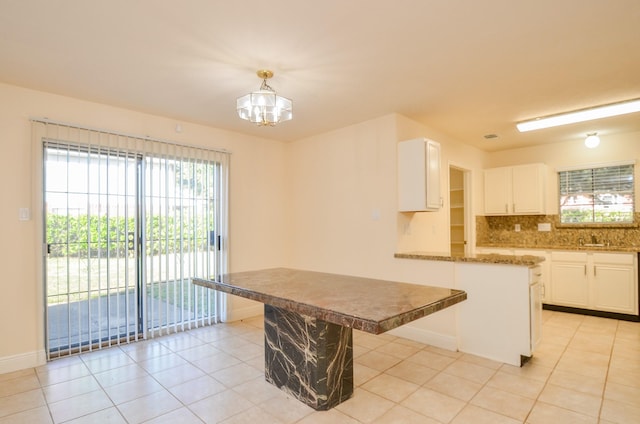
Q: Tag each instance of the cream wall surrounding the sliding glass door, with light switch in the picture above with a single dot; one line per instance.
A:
(257, 196)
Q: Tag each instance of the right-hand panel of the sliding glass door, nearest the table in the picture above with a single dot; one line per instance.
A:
(181, 239)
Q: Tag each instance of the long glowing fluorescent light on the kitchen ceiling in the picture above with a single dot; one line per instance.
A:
(605, 111)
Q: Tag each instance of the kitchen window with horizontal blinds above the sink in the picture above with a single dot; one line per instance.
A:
(598, 195)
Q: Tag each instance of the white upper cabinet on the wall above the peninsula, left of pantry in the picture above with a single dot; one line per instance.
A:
(419, 175)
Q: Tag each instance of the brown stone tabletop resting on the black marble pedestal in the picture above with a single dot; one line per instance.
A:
(370, 305)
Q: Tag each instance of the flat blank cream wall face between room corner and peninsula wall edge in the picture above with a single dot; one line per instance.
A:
(342, 193)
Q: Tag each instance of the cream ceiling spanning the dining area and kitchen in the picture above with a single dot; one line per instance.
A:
(465, 68)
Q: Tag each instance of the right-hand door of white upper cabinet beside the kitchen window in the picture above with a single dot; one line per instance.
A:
(528, 189)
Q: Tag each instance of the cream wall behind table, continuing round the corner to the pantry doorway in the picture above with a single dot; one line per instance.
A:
(344, 211)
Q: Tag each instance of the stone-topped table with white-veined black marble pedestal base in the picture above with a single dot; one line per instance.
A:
(309, 317)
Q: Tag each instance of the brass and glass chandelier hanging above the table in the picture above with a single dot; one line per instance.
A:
(264, 107)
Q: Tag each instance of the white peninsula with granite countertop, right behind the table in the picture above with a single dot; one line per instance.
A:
(501, 319)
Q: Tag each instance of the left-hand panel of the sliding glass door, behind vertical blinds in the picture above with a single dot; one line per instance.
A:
(92, 228)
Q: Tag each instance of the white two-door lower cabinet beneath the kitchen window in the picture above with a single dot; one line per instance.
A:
(597, 281)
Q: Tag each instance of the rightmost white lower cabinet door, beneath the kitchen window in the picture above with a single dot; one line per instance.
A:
(614, 288)
